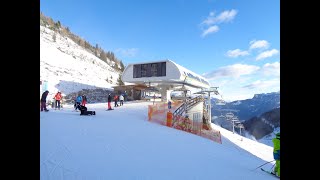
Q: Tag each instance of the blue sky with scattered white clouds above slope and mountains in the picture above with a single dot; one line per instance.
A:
(234, 44)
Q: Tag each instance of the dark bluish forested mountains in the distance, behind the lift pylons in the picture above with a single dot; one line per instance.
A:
(260, 116)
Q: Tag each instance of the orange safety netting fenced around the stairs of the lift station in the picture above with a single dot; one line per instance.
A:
(158, 113)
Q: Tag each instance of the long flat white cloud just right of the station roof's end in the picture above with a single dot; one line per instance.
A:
(233, 71)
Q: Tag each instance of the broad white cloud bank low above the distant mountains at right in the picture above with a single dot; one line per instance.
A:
(242, 81)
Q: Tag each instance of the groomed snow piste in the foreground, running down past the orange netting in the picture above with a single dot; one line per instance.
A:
(123, 144)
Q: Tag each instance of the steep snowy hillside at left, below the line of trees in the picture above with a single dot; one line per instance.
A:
(68, 67)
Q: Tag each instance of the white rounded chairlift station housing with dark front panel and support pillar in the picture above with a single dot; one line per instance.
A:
(165, 75)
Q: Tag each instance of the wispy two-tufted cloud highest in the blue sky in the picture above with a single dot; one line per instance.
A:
(212, 21)
